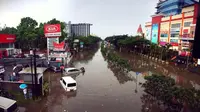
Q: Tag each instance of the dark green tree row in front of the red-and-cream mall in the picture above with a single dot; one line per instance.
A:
(138, 44)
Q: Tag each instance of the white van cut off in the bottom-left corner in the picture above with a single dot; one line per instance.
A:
(8, 105)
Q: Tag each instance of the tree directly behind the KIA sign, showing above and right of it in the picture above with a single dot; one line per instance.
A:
(63, 26)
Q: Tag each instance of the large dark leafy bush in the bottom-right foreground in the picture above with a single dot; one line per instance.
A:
(168, 94)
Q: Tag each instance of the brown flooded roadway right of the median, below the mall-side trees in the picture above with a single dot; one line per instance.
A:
(180, 75)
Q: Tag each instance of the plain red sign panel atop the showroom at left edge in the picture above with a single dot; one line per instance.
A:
(7, 38)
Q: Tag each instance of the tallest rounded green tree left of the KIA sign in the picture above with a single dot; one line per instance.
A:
(26, 32)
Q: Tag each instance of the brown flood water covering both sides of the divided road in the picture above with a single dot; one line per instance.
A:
(103, 89)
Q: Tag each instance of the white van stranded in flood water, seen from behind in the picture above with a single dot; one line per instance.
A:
(68, 83)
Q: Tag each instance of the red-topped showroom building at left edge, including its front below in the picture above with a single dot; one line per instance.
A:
(7, 46)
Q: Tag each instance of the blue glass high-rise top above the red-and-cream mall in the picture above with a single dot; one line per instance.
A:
(172, 7)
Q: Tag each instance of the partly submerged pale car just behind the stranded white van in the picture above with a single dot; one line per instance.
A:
(68, 71)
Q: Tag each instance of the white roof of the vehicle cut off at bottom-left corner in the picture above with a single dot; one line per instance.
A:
(6, 103)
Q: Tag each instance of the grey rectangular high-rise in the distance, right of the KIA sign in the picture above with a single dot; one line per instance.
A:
(80, 29)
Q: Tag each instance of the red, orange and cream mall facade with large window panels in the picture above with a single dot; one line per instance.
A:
(176, 29)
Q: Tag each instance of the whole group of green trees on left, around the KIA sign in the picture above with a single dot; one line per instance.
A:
(29, 33)
